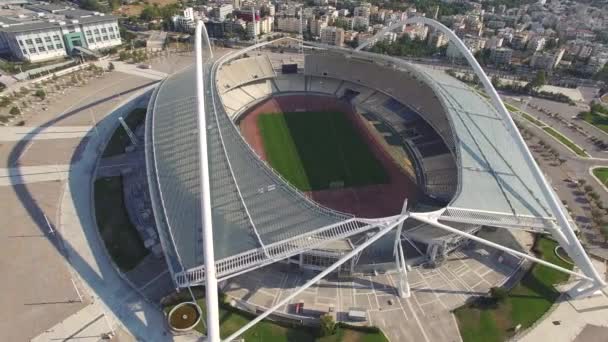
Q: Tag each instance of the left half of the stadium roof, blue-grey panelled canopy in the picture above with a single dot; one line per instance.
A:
(258, 217)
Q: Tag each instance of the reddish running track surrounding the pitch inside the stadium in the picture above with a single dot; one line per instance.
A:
(363, 201)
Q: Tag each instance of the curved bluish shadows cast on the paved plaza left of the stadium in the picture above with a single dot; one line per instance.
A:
(82, 202)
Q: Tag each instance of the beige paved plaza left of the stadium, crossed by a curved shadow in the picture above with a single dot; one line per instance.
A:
(35, 186)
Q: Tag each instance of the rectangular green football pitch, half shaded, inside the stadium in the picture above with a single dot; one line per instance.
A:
(318, 150)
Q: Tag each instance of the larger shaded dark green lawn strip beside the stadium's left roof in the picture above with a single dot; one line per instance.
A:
(118, 233)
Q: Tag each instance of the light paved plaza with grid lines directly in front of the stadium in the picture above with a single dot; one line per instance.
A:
(426, 316)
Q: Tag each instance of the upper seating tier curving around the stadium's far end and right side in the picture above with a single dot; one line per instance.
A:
(408, 105)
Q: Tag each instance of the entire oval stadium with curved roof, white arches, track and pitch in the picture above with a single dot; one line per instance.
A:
(395, 161)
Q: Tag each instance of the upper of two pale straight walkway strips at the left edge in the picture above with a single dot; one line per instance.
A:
(43, 133)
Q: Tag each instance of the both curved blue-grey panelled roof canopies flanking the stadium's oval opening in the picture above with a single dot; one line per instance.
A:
(258, 218)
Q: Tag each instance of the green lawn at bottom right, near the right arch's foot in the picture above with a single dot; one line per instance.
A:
(526, 303)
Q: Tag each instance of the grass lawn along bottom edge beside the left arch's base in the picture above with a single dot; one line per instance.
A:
(232, 320)
